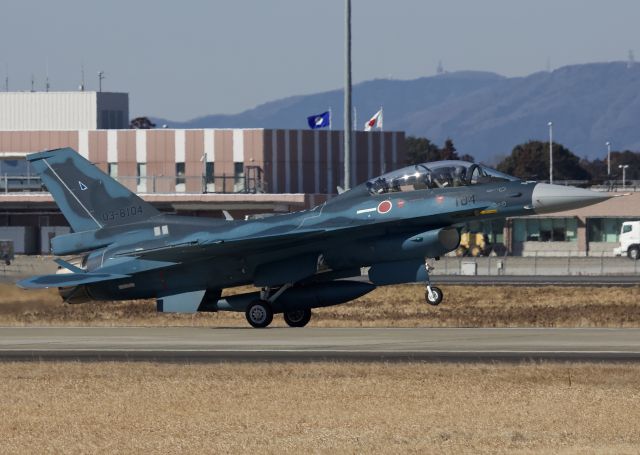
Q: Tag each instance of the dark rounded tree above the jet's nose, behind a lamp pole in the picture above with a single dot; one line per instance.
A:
(530, 161)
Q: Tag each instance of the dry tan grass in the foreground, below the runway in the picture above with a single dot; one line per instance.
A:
(319, 408)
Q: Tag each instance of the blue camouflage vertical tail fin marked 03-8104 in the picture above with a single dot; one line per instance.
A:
(88, 198)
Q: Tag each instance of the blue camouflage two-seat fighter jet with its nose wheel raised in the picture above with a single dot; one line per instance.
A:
(388, 226)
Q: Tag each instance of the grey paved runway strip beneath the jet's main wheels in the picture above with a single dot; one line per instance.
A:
(186, 344)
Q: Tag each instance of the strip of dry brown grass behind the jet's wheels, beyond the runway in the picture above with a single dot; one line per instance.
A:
(392, 306)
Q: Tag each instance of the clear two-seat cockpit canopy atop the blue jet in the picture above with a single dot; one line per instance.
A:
(437, 174)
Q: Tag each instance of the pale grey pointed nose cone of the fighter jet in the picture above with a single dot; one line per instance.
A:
(554, 198)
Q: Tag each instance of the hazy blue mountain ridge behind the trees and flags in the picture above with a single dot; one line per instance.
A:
(484, 113)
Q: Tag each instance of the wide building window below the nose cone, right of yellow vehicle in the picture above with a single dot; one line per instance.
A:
(545, 230)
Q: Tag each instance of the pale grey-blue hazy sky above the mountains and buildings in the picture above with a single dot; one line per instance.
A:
(183, 59)
